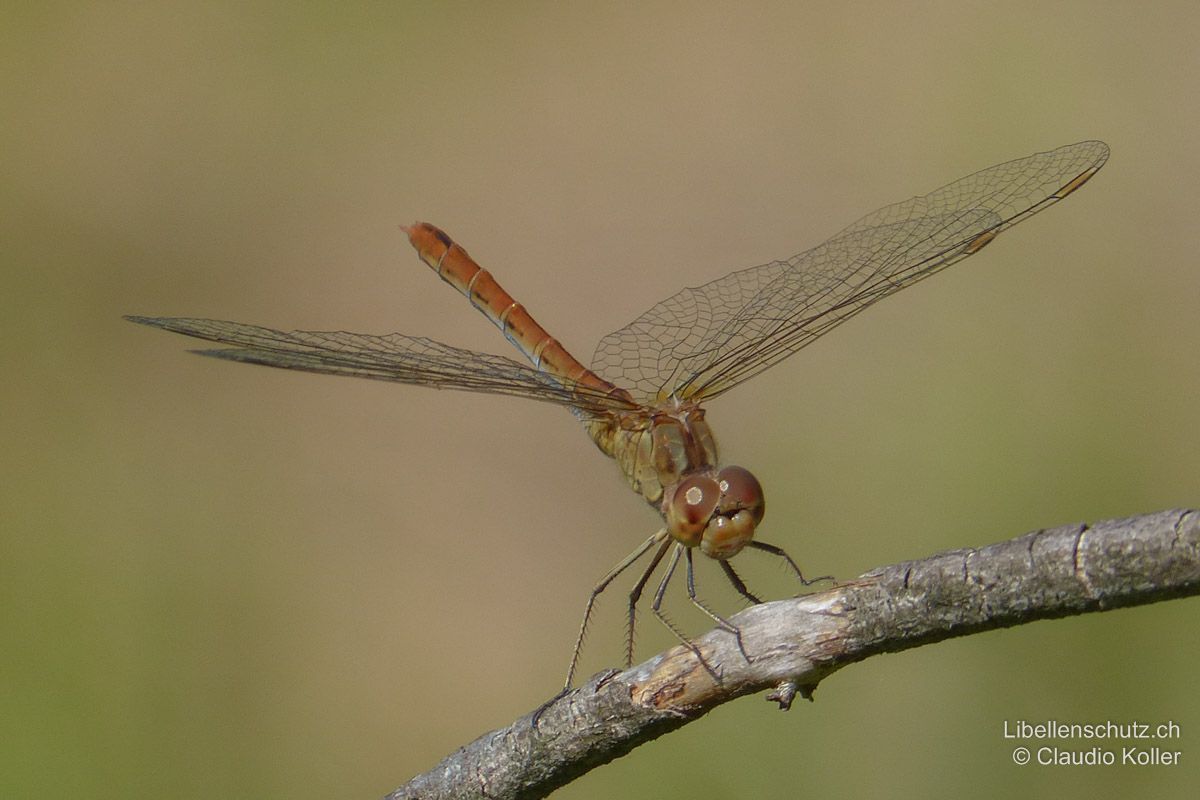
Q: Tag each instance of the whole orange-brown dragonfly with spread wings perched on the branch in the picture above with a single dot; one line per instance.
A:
(643, 399)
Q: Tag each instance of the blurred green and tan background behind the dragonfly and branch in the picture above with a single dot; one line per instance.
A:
(221, 581)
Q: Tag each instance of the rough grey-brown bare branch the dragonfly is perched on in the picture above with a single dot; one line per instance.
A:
(793, 645)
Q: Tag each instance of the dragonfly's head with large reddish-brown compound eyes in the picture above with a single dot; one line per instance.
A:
(717, 512)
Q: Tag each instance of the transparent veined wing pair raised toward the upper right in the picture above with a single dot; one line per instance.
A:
(706, 340)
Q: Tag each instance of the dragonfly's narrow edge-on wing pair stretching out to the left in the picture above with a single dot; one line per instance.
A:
(397, 358)
